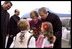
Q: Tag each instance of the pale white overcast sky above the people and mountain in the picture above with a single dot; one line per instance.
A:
(27, 6)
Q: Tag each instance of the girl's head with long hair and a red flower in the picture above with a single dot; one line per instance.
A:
(48, 28)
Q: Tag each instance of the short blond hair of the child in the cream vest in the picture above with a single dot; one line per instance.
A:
(23, 24)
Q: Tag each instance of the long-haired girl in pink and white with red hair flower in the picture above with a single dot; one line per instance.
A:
(46, 39)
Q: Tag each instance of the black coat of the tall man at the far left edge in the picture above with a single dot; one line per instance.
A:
(4, 24)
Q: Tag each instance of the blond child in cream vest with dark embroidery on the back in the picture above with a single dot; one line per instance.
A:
(22, 38)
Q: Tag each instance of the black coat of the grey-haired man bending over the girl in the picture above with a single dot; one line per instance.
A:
(57, 27)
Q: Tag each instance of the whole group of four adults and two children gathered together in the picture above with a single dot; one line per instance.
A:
(44, 32)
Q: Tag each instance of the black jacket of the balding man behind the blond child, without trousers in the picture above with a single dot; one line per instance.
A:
(13, 28)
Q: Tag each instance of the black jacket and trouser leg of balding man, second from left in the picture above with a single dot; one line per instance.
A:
(12, 28)
